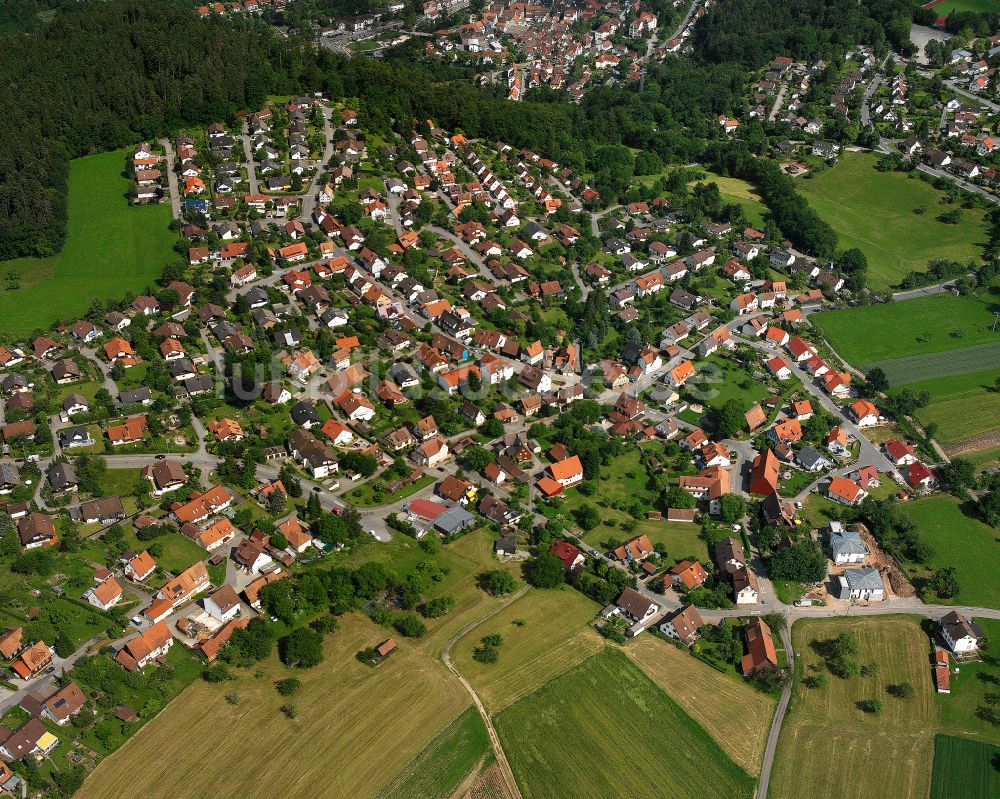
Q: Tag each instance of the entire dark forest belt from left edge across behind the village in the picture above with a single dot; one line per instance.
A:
(121, 71)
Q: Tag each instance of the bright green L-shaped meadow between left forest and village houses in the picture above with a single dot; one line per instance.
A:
(112, 248)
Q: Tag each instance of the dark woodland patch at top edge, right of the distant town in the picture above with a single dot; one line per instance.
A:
(752, 32)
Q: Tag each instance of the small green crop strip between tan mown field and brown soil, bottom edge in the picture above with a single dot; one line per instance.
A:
(445, 762)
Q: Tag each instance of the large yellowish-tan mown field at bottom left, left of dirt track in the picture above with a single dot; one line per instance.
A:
(341, 728)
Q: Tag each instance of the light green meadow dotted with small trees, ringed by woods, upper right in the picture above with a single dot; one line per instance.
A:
(878, 213)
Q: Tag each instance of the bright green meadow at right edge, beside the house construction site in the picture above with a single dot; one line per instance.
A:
(961, 541)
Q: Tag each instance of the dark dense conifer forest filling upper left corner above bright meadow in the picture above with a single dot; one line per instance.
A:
(112, 74)
